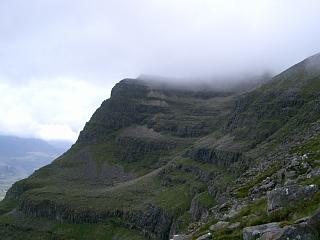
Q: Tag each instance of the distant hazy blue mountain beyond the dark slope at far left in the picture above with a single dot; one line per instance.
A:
(19, 157)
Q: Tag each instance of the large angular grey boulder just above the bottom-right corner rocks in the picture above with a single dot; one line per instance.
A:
(286, 196)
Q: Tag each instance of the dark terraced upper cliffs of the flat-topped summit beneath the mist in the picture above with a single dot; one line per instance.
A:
(165, 110)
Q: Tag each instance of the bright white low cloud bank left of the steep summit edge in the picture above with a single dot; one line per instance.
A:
(50, 110)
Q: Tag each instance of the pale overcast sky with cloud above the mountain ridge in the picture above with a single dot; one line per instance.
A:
(60, 58)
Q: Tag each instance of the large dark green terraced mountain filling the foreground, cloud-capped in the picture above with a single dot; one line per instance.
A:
(158, 162)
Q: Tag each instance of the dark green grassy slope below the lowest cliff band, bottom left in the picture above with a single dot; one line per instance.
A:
(44, 229)
